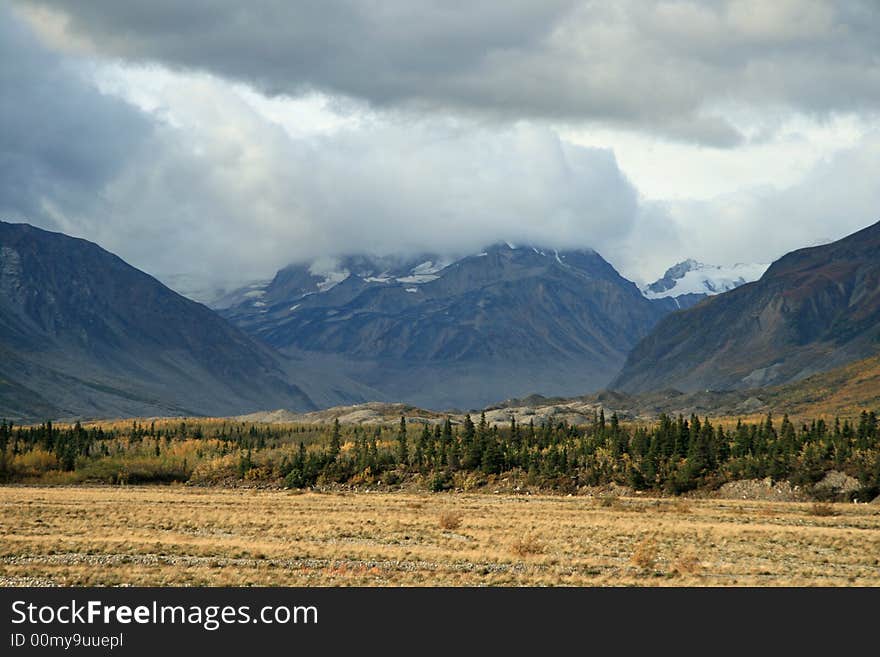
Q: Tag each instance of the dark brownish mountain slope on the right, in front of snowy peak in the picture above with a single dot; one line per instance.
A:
(813, 310)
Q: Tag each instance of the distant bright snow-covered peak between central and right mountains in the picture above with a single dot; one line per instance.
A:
(690, 282)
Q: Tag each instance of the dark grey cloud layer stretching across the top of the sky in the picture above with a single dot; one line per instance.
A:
(666, 66)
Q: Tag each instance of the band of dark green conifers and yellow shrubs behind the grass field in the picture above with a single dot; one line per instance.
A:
(671, 455)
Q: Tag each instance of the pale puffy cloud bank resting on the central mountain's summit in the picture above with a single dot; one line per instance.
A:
(244, 194)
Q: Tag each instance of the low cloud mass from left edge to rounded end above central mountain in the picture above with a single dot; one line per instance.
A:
(193, 177)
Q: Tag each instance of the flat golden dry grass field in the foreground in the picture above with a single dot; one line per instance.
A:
(189, 536)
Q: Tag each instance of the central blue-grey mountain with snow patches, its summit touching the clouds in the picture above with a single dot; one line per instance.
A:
(505, 322)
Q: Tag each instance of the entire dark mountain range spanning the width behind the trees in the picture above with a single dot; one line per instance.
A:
(82, 333)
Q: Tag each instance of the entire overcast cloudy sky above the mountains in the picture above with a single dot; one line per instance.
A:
(225, 139)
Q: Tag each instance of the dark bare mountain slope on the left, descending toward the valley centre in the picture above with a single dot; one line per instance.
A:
(83, 334)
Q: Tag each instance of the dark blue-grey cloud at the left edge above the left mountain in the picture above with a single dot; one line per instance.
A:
(60, 140)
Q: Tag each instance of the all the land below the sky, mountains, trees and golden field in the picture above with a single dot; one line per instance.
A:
(342, 451)
